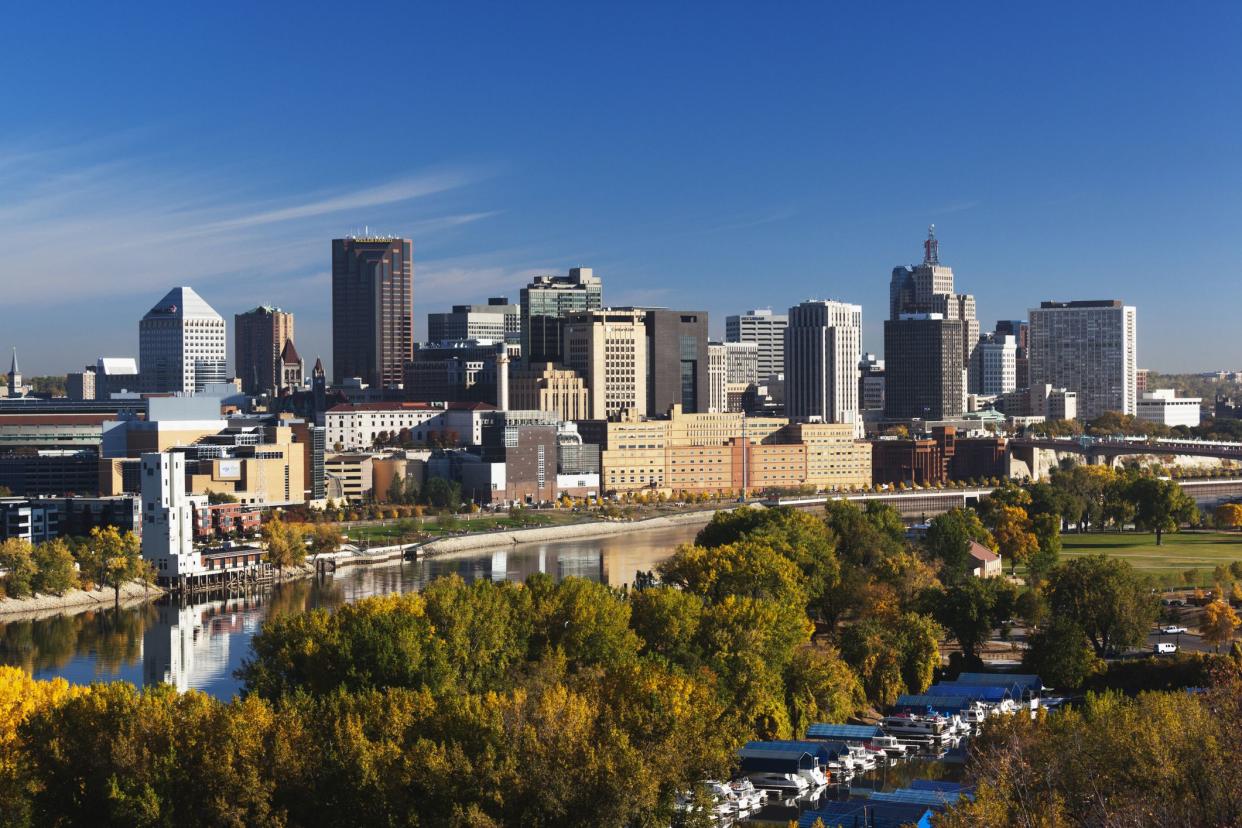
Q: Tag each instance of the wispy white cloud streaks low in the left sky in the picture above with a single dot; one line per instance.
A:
(79, 229)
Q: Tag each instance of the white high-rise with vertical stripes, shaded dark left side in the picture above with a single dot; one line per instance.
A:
(823, 346)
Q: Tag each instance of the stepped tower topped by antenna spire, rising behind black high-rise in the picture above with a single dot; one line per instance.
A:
(928, 289)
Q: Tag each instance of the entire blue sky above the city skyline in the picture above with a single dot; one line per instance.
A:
(700, 156)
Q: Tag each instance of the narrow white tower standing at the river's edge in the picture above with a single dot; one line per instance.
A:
(168, 517)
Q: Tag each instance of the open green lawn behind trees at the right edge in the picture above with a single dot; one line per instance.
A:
(1181, 552)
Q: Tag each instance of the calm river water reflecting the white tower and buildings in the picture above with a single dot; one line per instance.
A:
(201, 646)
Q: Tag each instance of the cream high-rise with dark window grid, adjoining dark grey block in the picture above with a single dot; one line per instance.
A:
(609, 351)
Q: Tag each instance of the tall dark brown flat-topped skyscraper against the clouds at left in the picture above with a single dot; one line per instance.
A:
(372, 308)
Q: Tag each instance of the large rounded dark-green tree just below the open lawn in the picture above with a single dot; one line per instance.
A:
(1113, 604)
